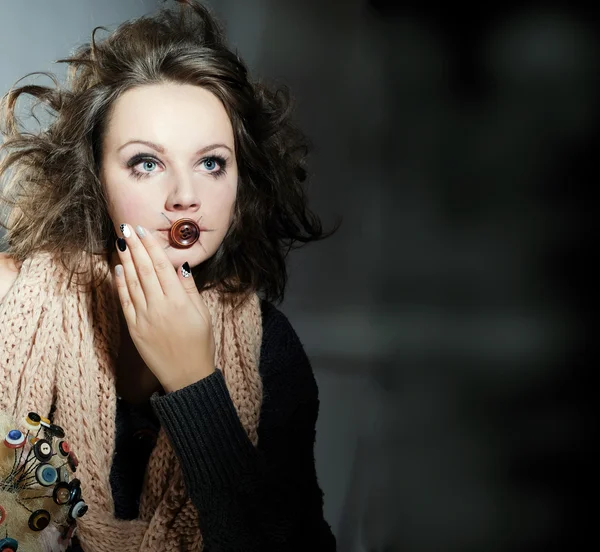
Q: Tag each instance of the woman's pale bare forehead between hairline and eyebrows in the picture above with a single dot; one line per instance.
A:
(174, 115)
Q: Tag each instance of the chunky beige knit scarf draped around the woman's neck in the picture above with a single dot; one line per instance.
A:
(58, 346)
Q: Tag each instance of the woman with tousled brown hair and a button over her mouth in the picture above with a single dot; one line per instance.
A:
(189, 401)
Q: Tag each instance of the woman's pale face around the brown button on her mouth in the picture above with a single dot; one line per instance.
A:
(168, 153)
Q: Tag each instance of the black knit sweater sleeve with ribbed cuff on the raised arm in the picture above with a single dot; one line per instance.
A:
(264, 498)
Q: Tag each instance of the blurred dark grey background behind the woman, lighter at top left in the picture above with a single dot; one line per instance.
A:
(447, 319)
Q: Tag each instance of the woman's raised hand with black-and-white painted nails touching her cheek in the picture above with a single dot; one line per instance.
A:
(168, 322)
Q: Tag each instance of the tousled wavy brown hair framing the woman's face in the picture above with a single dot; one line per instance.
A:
(51, 177)
